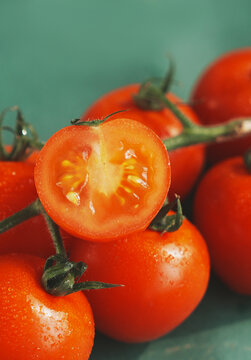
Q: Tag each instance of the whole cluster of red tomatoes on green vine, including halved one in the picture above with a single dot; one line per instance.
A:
(93, 210)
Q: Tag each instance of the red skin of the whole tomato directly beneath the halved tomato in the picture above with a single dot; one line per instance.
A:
(164, 279)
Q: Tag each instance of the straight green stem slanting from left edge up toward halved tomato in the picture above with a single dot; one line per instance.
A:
(21, 216)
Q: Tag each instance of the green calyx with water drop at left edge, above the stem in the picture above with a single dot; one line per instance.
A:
(25, 139)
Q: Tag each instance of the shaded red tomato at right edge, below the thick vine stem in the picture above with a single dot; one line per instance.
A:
(222, 213)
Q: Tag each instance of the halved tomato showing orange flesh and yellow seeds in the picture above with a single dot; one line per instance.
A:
(103, 182)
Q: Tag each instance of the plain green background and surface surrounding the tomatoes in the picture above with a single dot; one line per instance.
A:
(57, 56)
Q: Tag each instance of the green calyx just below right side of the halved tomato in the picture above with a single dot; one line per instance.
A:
(168, 223)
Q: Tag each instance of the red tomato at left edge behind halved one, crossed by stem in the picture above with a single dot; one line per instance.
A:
(17, 190)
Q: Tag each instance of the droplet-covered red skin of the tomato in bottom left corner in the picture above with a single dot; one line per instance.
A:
(36, 325)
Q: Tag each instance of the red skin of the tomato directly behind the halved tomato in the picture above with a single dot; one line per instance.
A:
(164, 123)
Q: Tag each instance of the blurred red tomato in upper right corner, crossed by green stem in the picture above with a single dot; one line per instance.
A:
(223, 92)
